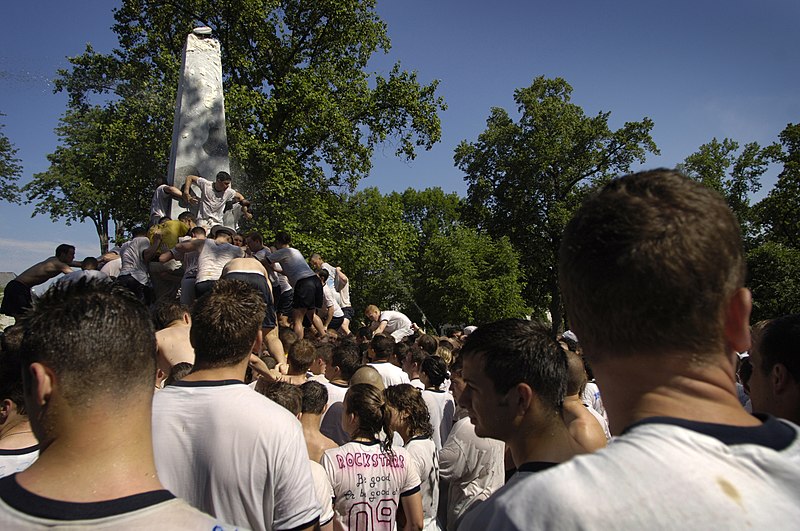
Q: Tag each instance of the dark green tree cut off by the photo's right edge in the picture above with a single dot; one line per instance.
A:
(779, 212)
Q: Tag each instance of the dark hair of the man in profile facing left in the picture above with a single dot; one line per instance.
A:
(518, 351)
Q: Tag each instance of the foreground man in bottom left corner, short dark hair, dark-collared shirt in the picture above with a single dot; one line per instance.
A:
(88, 356)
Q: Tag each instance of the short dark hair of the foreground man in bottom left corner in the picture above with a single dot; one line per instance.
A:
(97, 338)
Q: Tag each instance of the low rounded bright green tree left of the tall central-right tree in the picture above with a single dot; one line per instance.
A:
(466, 277)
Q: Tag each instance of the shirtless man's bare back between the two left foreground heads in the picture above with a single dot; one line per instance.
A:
(172, 339)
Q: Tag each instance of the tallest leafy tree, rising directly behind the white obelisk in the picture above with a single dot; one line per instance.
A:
(303, 112)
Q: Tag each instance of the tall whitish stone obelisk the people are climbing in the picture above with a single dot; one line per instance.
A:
(199, 143)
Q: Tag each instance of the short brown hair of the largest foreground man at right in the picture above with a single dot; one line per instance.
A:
(648, 265)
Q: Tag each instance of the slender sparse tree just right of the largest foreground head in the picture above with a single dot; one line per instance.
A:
(735, 176)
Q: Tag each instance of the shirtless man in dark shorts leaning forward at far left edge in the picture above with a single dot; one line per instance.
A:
(17, 295)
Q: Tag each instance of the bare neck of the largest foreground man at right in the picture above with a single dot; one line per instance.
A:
(638, 387)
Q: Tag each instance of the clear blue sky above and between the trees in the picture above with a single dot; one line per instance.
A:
(699, 69)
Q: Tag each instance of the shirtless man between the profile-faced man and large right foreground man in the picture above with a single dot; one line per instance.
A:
(584, 428)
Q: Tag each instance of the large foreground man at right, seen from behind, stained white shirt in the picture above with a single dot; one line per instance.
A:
(652, 271)
